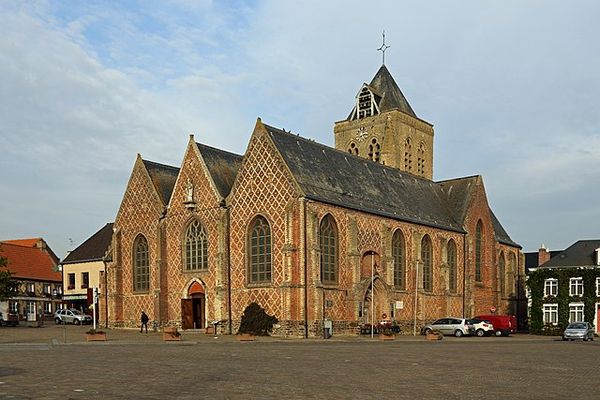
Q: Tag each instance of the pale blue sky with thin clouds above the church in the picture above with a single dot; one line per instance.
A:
(512, 88)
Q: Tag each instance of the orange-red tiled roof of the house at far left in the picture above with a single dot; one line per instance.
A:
(29, 262)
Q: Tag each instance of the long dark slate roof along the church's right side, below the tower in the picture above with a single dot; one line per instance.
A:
(335, 177)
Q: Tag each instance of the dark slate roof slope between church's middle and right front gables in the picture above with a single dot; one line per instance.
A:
(222, 166)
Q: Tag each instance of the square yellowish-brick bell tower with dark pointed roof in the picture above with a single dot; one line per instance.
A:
(383, 128)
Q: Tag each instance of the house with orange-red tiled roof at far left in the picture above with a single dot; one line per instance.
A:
(34, 265)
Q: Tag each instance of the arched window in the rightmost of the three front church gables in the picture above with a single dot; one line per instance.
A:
(260, 251)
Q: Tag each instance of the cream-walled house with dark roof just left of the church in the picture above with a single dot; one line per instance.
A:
(83, 269)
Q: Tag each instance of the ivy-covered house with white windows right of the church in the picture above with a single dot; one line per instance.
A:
(566, 288)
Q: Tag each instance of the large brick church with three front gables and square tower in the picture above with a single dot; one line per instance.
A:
(311, 232)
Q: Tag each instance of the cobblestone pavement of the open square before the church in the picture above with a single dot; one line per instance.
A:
(36, 363)
